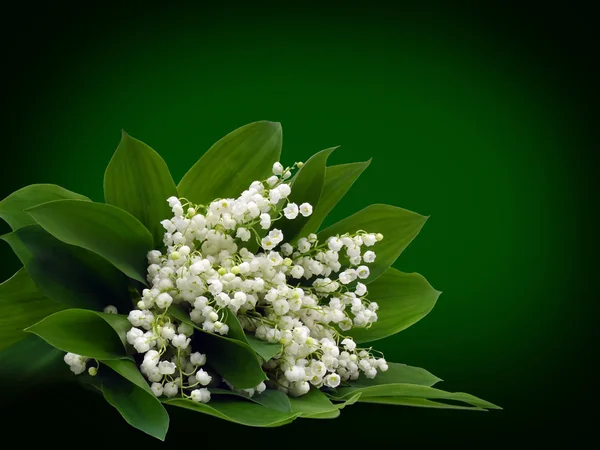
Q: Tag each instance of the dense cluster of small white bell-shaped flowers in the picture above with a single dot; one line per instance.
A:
(302, 295)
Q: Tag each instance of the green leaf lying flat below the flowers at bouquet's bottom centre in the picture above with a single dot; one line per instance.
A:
(237, 411)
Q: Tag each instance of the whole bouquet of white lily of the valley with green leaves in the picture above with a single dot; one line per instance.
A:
(221, 294)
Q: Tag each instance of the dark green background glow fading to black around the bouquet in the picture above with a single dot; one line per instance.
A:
(477, 117)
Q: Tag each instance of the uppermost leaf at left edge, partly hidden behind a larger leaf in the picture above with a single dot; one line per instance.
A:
(12, 208)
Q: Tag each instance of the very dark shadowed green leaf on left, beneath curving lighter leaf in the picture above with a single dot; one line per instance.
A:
(71, 275)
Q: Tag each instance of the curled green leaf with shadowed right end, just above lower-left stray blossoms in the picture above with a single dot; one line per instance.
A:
(87, 333)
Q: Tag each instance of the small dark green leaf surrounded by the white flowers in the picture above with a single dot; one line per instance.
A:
(234, 360)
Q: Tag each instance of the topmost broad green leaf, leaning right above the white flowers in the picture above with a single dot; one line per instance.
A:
(233, 163)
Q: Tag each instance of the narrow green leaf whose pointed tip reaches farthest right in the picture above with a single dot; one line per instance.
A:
(411, 390)
